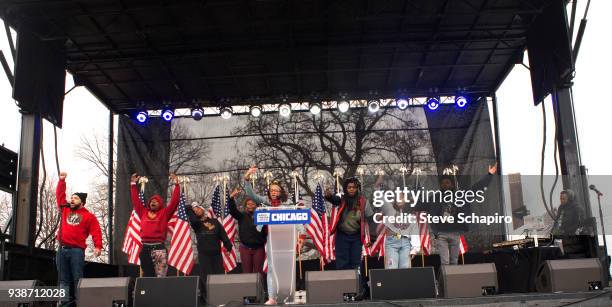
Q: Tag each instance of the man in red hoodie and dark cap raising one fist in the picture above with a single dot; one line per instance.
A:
(77, 224)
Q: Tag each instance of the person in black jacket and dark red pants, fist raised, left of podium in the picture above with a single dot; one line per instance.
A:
(252, 241)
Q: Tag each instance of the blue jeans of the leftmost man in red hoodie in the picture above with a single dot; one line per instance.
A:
(70, 263)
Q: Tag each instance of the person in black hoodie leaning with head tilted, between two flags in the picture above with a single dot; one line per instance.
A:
(209, 233)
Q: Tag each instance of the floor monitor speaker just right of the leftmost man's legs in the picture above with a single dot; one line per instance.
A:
(104, 292)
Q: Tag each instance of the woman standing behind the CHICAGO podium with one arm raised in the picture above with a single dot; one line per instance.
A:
(277, 196)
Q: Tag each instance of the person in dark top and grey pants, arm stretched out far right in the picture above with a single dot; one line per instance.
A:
(447, 236)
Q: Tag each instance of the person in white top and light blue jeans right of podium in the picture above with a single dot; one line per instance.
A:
(402, 239)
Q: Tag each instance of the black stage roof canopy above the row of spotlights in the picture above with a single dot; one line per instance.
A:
(129, 52)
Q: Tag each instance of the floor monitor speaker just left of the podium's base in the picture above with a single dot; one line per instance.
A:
(244, 288)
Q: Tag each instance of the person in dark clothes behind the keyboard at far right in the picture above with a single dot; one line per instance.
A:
(569, 224)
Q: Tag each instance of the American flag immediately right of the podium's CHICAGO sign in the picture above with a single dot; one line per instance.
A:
(318, 229)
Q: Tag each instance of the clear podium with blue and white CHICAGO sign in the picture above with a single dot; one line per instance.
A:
(282, 237)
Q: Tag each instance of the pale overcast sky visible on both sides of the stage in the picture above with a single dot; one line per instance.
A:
(520, 121)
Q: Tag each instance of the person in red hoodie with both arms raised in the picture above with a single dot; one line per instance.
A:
(154, 227)
